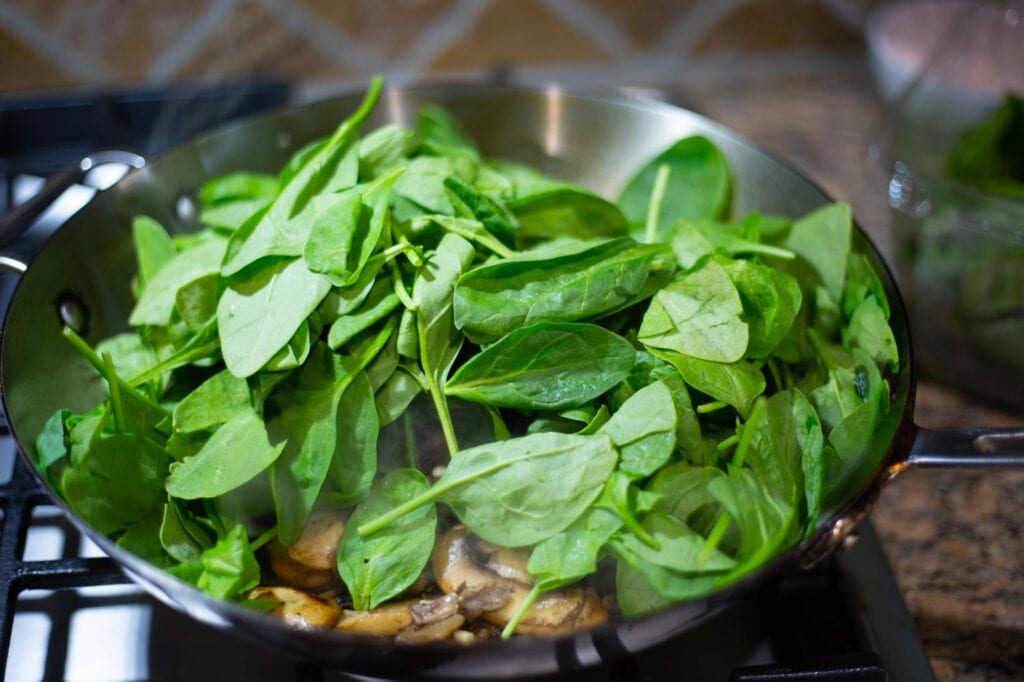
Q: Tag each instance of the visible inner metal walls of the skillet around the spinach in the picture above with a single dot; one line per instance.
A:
(598, 143)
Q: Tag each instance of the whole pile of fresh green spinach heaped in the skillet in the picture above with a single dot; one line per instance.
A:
(661, 386)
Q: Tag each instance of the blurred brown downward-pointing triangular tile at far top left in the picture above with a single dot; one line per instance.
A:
(126, 37)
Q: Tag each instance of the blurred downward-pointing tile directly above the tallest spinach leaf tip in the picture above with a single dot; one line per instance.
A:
(389, 25)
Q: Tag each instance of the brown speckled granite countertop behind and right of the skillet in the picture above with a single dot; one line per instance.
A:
(955, 539)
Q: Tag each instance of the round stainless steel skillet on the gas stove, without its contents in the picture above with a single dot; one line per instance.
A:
(88, 265)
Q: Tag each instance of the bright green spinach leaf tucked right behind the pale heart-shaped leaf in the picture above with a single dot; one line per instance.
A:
(772, 301)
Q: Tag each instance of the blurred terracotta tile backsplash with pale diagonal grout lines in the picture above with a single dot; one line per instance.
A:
(47, 45)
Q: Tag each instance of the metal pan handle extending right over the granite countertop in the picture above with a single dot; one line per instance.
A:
(977, 448)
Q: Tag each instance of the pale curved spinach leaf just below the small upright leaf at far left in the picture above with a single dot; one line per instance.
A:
(157, 303)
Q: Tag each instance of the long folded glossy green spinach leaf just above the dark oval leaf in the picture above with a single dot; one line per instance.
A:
(581, 282)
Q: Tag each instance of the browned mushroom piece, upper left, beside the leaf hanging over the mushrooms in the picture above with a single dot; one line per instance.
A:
(311, 564)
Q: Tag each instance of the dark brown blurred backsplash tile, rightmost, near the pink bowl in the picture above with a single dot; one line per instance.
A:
(777, 25)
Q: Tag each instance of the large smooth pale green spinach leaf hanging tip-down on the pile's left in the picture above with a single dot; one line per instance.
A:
(260, 314)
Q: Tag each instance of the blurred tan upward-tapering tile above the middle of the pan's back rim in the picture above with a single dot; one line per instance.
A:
(518, 32)
